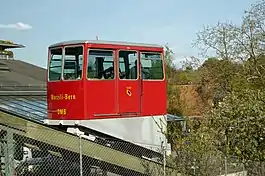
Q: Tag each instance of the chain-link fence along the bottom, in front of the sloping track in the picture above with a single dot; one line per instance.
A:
(30, 149)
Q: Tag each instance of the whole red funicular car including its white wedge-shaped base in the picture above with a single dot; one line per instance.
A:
(118, 88)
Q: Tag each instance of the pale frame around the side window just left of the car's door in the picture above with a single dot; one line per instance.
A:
(114, 62)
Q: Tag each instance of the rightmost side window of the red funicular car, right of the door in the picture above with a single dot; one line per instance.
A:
(152, 66)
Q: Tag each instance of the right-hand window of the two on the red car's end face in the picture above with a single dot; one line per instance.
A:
(73, 63)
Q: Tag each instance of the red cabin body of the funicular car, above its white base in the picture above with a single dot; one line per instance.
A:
(86, 98)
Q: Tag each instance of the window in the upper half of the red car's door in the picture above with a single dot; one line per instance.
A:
(128, 65)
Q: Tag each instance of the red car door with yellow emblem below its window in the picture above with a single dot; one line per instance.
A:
(128, 81)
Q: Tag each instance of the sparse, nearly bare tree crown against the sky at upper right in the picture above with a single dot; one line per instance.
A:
(243, 43)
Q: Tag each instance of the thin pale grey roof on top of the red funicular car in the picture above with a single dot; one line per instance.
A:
(72, 42)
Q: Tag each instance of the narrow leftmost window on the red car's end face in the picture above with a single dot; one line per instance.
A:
(55, 66)
